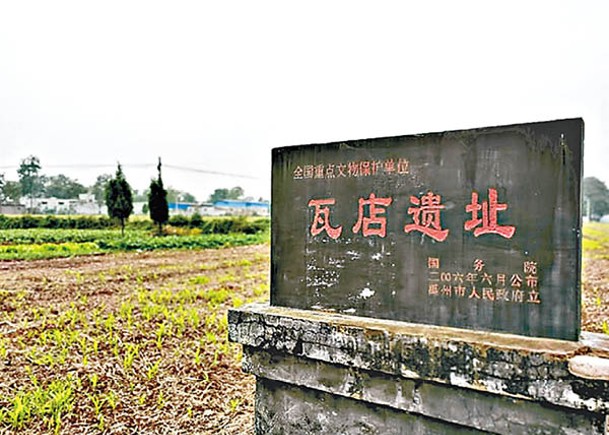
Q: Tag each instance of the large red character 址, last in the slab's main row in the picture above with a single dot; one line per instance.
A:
(488, 223)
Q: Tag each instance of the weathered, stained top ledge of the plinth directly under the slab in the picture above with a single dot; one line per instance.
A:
(511, 366)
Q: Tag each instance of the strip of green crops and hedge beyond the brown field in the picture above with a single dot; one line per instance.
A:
(38, 237)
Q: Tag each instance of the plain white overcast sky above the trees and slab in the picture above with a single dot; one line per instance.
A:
(216, 85)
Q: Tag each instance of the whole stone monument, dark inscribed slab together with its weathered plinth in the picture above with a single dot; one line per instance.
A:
(427, 284)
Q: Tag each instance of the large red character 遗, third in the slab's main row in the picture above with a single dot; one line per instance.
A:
(426, 216)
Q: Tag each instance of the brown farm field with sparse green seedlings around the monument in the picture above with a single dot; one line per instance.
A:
(136, 342)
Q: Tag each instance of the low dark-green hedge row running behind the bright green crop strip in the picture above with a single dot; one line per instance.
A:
(207, 225)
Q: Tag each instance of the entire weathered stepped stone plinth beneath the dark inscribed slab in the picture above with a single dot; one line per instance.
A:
(330, 373)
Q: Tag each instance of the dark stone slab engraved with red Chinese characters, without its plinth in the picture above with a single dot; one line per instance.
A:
(476, 229)
